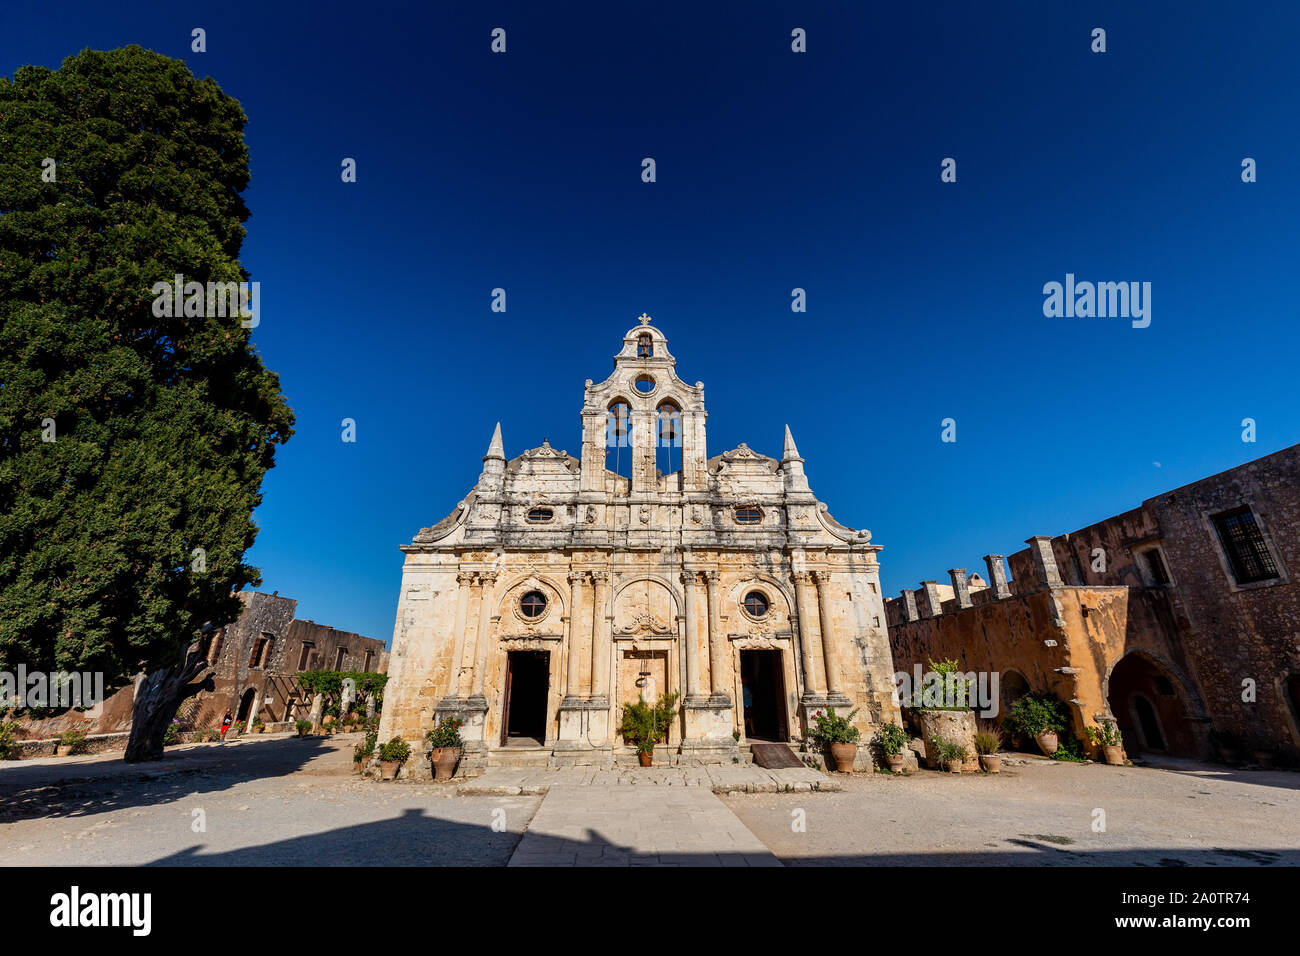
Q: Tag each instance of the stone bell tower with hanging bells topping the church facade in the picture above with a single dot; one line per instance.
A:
(639, 410)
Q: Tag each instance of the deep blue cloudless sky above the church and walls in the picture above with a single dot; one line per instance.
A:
(774, 171)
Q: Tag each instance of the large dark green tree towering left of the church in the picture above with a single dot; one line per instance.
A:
(124, 535)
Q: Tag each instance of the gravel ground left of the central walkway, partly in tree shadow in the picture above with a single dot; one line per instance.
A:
(261, 802)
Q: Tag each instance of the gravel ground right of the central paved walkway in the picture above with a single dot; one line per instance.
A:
(1039, 814)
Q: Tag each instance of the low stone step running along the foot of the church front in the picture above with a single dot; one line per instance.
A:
(717, 780)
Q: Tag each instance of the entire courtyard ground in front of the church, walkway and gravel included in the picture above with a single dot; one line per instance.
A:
(288, 802)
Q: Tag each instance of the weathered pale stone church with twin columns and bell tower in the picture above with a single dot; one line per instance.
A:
(561, 589)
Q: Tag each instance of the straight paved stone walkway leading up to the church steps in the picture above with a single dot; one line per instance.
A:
(638, 827)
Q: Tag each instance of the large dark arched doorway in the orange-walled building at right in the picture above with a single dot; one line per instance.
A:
(1151, 708)
